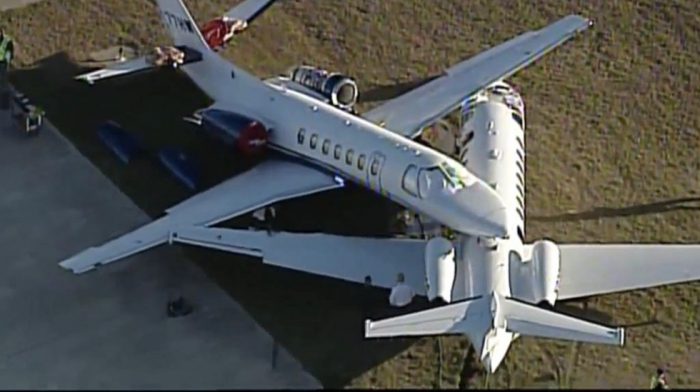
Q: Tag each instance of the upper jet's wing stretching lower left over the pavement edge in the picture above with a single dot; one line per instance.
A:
(270, 182)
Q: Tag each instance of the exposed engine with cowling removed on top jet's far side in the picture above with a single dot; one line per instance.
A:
(341, 90)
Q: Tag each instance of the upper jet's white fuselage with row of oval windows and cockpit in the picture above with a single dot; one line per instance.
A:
(408, 173)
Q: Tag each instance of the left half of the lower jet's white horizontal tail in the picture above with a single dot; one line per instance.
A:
(449, 319)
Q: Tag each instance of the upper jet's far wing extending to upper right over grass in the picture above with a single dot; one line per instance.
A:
(412, 111)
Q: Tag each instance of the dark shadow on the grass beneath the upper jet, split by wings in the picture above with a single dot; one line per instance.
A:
(319, 321)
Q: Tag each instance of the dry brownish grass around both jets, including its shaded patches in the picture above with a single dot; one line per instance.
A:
(612, 127)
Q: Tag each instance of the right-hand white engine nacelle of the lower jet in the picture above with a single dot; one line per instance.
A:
(545, 269)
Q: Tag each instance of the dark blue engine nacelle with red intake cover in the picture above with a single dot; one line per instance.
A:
(247, 135)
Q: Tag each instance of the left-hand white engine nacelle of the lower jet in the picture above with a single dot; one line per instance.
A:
(440, 269)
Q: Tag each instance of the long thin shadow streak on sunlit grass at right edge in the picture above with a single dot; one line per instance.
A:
(680, 204)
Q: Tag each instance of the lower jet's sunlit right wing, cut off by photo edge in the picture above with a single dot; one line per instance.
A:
(591, 269)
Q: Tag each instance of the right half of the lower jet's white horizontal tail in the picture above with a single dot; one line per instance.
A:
(530, 320)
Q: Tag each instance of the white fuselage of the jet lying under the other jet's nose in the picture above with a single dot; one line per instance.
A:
(491, 145)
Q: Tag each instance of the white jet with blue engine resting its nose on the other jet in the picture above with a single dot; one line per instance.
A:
(327, 144)
